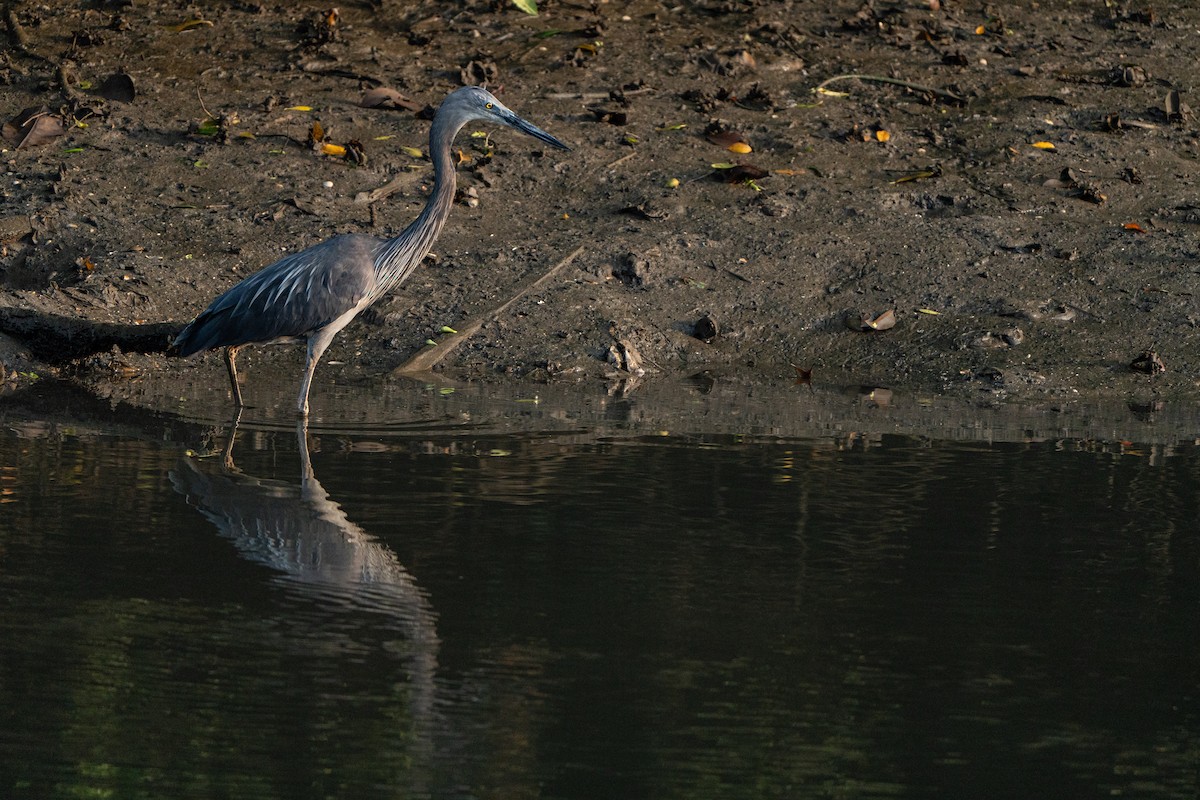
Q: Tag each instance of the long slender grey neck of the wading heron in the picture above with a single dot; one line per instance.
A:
(401, 255)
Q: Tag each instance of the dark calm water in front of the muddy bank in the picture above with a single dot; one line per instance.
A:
(437, 611)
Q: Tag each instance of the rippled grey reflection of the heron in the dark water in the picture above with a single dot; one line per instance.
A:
(321, 555)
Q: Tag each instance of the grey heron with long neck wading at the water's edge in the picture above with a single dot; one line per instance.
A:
(314, 294)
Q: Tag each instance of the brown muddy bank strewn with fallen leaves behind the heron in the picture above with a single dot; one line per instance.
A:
(1024, 201)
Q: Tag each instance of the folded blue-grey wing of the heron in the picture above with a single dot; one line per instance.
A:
(290, 299)
